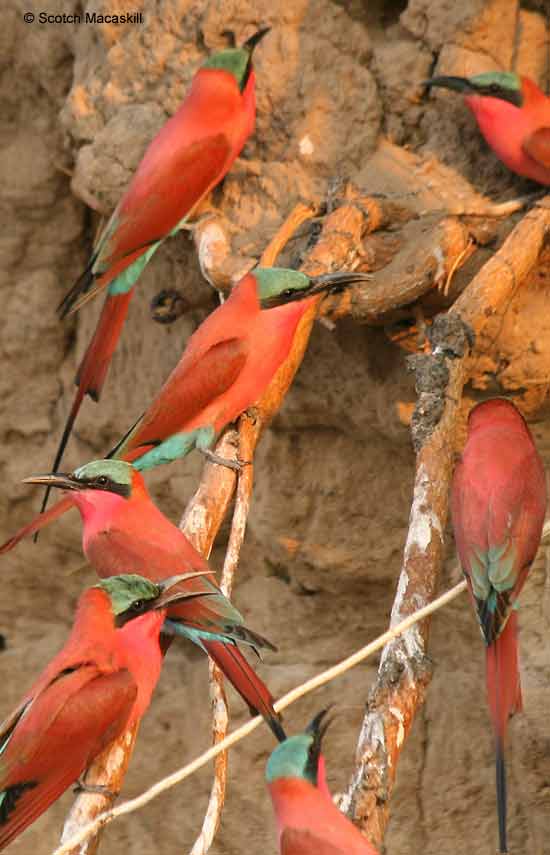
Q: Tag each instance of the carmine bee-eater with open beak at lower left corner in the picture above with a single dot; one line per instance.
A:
(98, 685)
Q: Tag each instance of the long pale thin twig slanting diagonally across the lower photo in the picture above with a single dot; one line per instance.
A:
(291, 697)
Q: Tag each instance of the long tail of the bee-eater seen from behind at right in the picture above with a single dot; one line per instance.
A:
(504, 695)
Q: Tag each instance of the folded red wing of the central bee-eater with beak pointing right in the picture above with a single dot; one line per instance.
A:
(189, 390)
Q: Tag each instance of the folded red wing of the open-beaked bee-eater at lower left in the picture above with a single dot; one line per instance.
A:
(55, 739)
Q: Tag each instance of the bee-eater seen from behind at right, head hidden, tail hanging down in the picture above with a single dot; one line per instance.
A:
(498, 503)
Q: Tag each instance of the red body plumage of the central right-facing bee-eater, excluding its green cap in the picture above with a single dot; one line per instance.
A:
(227, 365)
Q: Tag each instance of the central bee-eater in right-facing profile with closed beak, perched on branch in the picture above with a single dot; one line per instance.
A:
(227, 365)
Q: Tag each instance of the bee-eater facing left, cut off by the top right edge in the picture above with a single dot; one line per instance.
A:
(514, 117)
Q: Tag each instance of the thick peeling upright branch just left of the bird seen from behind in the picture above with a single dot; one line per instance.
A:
(403, 674)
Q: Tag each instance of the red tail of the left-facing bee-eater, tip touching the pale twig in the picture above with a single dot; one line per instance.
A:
(251, 688)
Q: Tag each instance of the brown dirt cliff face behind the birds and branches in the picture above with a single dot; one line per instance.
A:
(334, 474)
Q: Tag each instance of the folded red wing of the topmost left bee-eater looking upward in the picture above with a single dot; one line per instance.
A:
(155, 202)
